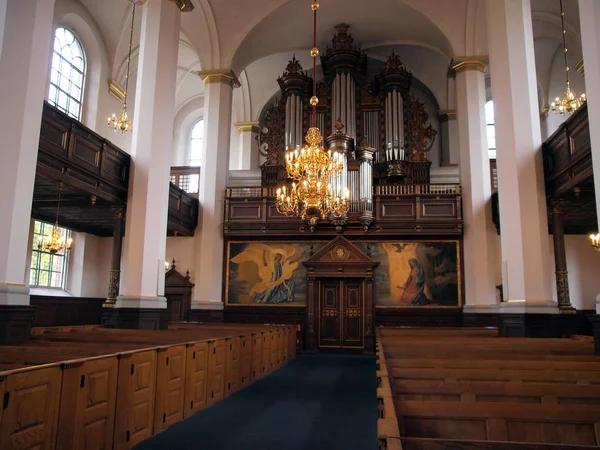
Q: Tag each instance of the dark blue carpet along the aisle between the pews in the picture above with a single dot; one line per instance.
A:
(317, 402)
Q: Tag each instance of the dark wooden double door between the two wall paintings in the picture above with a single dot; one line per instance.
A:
(341, 321)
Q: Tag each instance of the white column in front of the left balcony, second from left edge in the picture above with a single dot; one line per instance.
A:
(142, 284)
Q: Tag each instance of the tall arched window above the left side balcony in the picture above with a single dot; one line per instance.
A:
(68, 73)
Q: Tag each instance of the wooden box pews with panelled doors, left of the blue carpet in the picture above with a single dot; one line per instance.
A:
(94, 389)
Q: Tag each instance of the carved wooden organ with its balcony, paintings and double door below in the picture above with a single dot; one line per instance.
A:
(393, 258)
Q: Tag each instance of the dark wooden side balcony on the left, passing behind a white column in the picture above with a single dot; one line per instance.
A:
(95, 178)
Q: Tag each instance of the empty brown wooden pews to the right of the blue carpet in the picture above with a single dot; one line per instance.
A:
(471, 391)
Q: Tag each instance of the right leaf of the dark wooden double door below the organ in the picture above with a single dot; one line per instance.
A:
(352, 317)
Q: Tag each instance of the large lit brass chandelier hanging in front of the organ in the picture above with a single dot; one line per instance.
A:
(311, 168)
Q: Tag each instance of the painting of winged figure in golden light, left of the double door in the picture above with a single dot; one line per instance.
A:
(267, 273)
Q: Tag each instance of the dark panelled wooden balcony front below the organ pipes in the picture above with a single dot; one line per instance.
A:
(418, 210)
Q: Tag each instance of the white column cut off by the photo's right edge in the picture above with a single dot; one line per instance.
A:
(589, 17)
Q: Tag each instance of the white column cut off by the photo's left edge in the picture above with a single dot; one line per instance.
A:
(26, 35)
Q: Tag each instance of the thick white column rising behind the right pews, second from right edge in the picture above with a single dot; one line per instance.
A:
(523, 218)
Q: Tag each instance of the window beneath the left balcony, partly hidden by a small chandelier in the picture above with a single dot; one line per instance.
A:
(47, 269)
